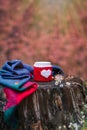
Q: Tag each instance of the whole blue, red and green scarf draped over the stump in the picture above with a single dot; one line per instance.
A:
(14, 77)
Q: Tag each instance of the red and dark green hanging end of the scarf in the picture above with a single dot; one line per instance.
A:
(14, 97)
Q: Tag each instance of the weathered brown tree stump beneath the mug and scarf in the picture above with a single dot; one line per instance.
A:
(52, 106)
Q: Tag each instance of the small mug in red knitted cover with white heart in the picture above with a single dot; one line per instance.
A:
(42, 71)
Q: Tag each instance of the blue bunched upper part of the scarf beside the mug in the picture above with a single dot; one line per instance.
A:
(14, 74)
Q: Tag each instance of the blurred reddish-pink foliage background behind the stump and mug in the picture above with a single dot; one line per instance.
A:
(51, 30)
